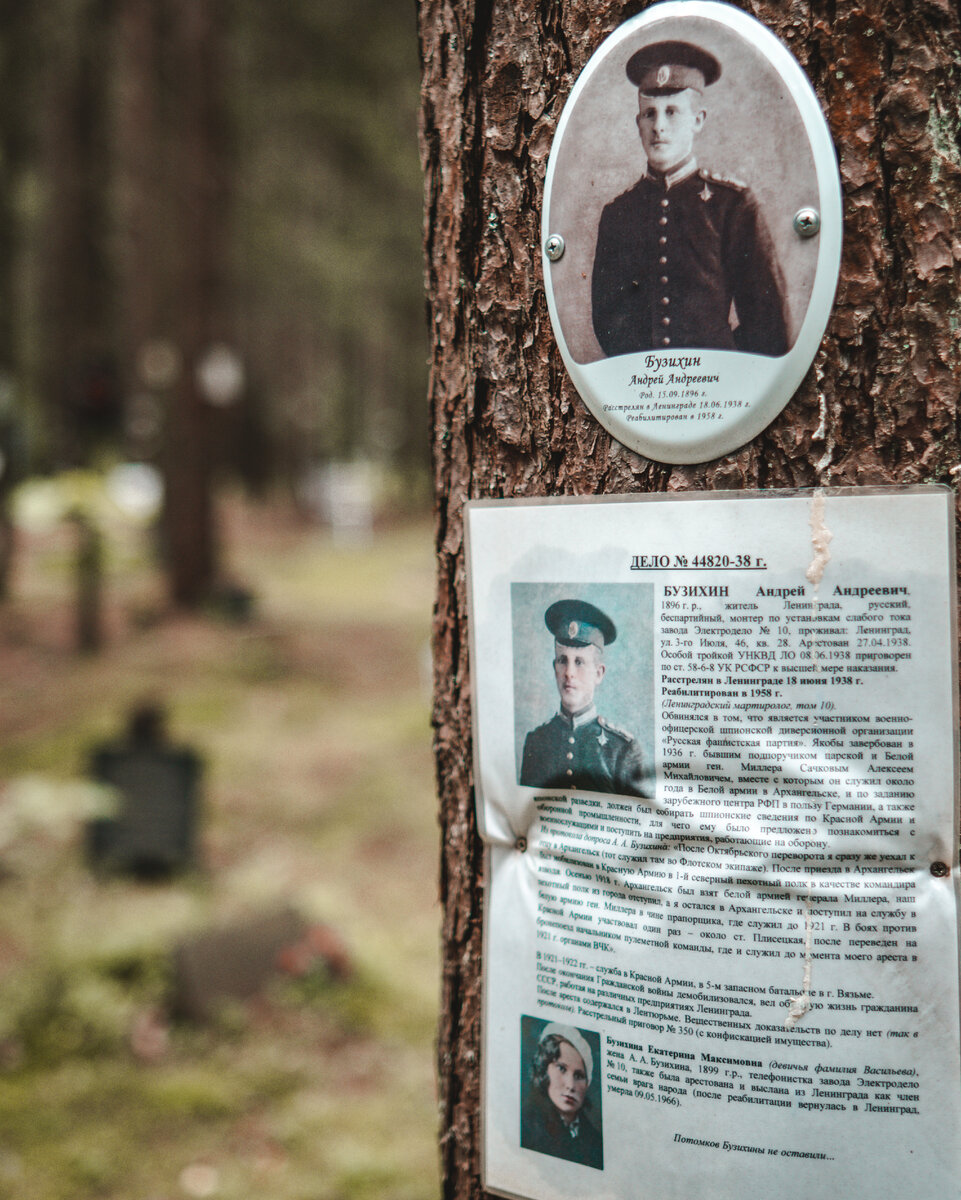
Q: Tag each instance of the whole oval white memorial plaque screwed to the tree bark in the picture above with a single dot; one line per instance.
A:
(692, 235)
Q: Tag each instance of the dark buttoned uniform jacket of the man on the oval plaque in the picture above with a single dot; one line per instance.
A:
(672, 255)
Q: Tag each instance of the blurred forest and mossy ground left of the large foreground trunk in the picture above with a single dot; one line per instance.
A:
(214, 506)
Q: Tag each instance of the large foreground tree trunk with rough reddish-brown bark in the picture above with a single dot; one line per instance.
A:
(879, 406)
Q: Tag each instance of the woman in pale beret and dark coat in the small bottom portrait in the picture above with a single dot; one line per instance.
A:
(555, 1120)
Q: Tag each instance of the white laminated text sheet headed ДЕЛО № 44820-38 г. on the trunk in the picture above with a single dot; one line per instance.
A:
(716, 761)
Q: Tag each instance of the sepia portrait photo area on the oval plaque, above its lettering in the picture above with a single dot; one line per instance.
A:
(682, 166)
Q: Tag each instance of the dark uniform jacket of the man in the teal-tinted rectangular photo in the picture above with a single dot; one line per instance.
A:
(586, 753)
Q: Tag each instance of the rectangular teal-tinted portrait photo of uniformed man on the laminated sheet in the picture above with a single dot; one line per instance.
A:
(584, 687)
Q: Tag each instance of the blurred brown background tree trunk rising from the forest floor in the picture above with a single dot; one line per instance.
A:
(200, 187)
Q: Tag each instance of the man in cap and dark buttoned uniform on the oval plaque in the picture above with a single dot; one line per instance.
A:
(682, 247)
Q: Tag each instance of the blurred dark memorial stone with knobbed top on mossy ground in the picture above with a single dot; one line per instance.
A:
(153, 836)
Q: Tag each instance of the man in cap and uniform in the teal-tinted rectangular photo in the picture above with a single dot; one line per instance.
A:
(578, 748)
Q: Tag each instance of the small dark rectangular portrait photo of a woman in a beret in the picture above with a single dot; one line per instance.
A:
(561, 1091)
